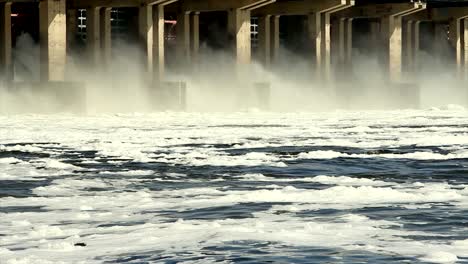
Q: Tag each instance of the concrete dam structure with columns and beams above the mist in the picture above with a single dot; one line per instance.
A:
(169, 36)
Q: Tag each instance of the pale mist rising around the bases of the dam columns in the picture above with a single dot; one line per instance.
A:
(214, 84)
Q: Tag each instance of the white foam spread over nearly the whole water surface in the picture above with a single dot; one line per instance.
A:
(117, 216)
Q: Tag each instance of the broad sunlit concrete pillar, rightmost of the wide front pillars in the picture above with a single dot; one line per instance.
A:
(392, 33)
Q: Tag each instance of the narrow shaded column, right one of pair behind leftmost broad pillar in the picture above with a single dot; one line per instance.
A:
(106, 37)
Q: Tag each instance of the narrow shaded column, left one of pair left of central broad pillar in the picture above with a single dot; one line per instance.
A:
(183, 39)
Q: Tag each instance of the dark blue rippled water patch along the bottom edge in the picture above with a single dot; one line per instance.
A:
(251, 252)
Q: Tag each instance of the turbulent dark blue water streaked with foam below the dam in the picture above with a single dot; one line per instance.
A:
(333, 187)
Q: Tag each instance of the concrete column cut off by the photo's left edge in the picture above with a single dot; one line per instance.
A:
(6, 64)
